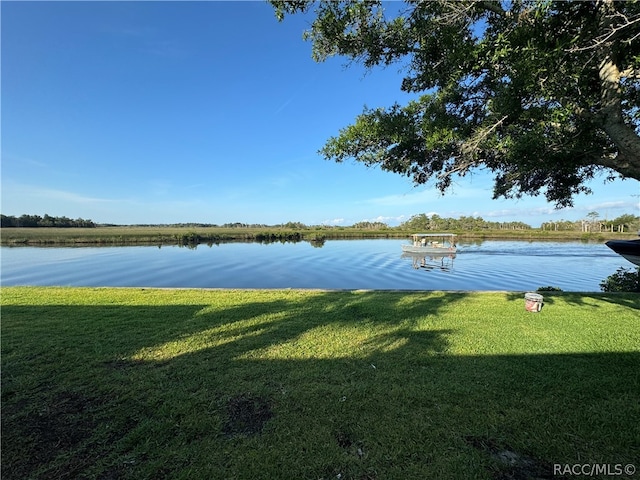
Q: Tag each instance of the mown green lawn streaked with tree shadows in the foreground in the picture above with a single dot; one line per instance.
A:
(287, 384)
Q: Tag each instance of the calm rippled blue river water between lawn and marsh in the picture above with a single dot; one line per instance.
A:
(339, 264)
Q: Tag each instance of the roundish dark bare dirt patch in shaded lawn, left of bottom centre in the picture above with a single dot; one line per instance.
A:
(246, 415)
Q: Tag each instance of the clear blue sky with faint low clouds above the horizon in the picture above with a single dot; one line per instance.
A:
(171, 112)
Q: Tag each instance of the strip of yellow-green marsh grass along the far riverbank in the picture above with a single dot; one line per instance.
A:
(168, 235)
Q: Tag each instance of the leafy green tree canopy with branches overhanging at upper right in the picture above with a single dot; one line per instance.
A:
(543, 94)
